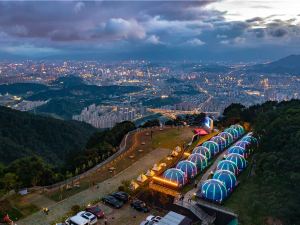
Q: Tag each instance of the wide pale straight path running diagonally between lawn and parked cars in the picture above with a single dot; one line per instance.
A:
(59, 209)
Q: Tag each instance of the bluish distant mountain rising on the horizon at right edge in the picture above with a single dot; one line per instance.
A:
(287, 65)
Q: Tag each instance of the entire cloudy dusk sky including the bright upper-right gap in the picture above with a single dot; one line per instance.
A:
(233, 30)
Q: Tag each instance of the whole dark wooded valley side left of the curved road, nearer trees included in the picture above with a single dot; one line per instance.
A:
(38, 150)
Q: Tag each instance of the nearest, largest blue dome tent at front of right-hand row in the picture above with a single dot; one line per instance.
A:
(213, 190)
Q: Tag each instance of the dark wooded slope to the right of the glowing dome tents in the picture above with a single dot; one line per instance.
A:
(275, 191)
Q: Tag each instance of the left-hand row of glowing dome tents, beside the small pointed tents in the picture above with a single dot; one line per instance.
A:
(198, 160)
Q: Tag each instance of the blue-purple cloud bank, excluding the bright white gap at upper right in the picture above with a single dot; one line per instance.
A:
(135, 27)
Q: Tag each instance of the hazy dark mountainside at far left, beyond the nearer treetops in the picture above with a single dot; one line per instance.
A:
(23, 134)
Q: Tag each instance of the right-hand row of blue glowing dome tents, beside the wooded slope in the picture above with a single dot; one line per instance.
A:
(224, 179)
